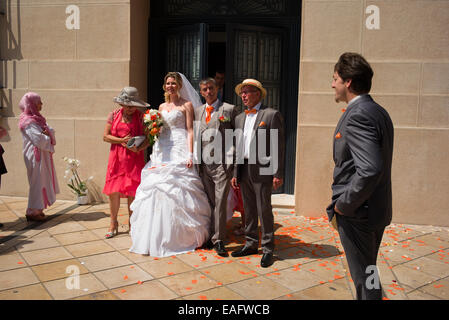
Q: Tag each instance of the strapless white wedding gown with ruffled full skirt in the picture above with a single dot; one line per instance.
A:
(171, 212)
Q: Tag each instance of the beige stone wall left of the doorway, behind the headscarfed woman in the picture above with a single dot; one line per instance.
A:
(77, 72)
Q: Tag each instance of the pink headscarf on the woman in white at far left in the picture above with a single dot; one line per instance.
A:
(28, 105)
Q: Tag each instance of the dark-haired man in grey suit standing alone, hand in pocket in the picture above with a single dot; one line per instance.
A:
(361, 188)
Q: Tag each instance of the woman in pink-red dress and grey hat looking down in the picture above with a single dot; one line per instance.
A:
(125, 164)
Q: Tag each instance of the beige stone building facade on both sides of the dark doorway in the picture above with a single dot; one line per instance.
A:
(77, 71)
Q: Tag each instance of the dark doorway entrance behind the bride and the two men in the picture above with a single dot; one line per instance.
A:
(244, 41)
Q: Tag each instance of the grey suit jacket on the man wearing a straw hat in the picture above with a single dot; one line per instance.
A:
(263, 171)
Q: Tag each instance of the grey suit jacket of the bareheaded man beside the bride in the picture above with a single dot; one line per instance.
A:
(222, 120)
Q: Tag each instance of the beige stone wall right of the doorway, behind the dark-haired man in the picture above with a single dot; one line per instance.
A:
(410, 57)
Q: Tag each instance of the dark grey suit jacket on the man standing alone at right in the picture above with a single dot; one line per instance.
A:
(363, 150)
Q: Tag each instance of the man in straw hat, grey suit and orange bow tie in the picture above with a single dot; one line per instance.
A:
(261, 145)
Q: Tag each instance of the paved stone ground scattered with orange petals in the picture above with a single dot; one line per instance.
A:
(36, 260)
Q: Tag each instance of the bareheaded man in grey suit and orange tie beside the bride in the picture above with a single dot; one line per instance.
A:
(215, 169)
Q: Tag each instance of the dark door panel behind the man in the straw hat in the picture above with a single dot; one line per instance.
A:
(259, 52)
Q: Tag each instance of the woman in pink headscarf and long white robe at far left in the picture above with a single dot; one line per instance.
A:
(38, 148)
